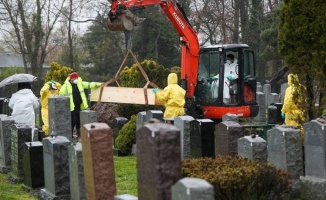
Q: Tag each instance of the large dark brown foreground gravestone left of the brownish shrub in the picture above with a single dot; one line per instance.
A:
(158, 160)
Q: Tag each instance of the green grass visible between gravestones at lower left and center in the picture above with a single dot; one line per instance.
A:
(126, 180)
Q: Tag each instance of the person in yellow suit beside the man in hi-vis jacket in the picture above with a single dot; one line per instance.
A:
(50, 89)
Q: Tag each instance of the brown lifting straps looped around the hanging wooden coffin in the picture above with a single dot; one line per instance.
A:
(115, 78)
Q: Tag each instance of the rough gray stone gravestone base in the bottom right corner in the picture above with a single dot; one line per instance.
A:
(312, 188)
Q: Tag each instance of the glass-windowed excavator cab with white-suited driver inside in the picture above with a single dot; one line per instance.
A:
(224, 86)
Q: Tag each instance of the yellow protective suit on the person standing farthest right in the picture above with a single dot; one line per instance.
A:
(292, 113)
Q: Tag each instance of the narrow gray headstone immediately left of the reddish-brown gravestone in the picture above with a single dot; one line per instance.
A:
(76, 172)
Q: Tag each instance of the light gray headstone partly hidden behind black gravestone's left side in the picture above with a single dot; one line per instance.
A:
(183, 124)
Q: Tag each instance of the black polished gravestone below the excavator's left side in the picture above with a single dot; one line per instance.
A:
(202, 138)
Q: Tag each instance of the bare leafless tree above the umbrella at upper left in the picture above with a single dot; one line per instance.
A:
(30, 23)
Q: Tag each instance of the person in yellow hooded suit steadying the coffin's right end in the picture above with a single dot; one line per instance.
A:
(173, 96)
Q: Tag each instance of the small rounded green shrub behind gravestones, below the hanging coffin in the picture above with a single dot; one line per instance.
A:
(127, 136)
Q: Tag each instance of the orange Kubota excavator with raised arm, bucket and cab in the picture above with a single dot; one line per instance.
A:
(209, 94)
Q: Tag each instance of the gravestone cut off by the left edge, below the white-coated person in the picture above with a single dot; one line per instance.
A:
(5, 131)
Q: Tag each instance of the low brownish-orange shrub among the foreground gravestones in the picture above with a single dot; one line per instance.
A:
(239, 178)
